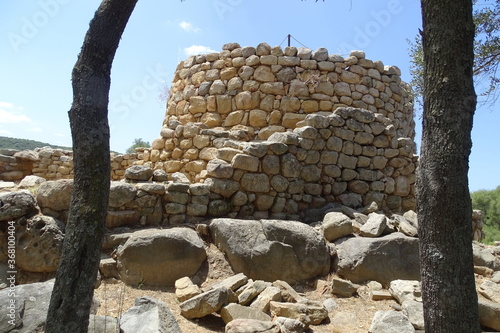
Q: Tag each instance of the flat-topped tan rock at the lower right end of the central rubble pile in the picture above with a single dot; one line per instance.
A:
(310, 313)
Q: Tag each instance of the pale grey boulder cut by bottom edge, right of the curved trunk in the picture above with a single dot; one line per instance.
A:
(148, 315)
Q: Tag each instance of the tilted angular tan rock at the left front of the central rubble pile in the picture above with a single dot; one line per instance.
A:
(205, 303)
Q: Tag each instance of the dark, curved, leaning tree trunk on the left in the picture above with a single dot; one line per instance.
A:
(76, 275)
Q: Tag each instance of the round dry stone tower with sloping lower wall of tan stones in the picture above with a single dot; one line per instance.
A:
(274, 131)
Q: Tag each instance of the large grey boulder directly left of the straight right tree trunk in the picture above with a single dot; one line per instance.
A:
(361, 259)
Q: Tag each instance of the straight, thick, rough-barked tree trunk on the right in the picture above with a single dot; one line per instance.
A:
(443, 200)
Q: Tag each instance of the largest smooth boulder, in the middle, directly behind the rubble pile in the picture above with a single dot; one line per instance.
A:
(272, 250)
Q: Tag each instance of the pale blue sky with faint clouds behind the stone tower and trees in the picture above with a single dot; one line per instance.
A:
(41, 40)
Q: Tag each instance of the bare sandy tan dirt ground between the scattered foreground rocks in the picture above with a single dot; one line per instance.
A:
(353, 314)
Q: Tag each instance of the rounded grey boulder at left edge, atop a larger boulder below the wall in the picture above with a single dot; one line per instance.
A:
(16, 204)
